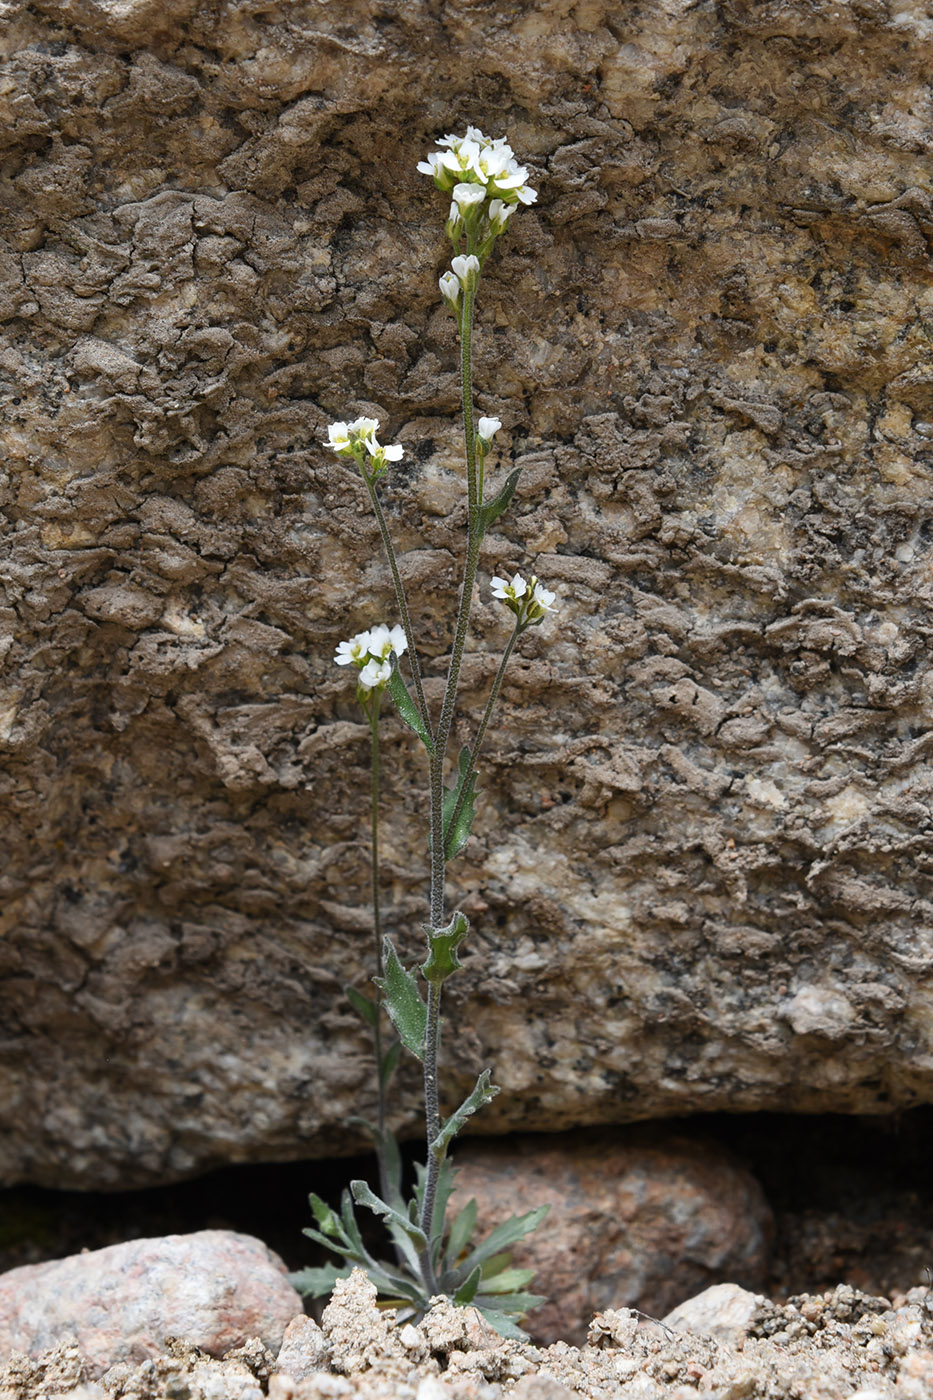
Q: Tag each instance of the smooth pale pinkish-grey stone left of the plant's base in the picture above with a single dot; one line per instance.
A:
(214, 1290)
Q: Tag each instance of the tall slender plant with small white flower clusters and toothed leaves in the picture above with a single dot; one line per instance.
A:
(435, 1256)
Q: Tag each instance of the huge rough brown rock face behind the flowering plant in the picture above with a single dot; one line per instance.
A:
(700, 878)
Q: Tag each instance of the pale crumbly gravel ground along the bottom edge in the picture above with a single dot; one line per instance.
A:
(843, 1346)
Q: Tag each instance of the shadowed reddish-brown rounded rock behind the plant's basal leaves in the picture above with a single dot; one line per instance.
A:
(635, 1223)
